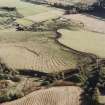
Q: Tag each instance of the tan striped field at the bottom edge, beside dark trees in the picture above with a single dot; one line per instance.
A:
(54, 96)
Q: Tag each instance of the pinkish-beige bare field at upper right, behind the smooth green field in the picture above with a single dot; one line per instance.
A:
(91, 23)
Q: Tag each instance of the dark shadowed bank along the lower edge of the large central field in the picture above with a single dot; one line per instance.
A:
(49, 76)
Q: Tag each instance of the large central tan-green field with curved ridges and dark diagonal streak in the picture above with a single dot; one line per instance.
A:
(36, 51)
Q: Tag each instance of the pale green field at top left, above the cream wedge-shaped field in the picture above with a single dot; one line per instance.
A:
(24, 8)
